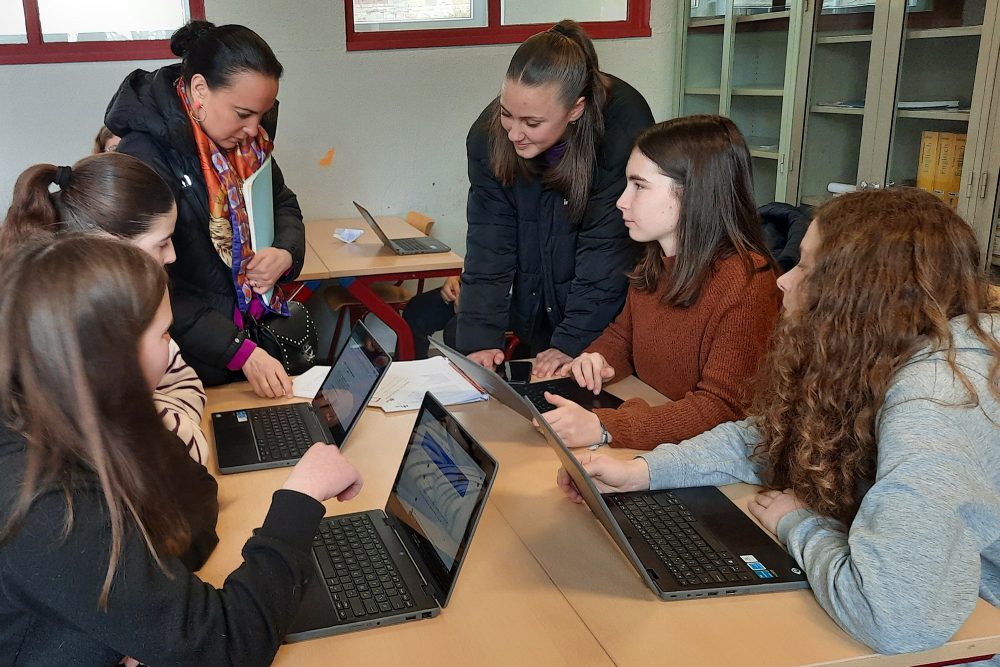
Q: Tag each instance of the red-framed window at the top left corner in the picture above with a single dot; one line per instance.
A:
(51, 31)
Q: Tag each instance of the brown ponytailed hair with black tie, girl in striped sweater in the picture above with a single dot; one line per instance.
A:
(112, 192)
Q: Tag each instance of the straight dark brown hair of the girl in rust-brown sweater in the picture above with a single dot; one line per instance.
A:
(708, 160)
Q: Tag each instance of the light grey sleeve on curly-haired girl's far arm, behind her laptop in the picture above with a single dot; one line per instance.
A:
(716, 457)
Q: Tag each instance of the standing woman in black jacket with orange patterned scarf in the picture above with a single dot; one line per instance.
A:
(205, 125)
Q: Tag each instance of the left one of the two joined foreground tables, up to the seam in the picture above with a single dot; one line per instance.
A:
(505, 609)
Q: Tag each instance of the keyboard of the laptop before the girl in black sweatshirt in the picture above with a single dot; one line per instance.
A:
(362, 579)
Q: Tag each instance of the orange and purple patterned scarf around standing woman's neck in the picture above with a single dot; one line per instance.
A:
(229, 225)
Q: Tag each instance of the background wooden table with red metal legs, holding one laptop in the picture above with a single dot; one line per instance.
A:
(358, 264)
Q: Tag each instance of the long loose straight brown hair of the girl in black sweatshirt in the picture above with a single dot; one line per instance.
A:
(75, 390)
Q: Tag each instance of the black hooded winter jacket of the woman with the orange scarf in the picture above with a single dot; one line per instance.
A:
(147, 115)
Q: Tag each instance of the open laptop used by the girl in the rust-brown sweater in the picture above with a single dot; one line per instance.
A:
(533, 392)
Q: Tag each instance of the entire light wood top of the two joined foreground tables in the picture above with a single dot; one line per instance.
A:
(544, 582)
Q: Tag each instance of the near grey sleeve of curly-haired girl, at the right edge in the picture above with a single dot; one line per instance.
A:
(905, 576)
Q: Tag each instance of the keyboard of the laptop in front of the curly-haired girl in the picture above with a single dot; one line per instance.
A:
(670, 530)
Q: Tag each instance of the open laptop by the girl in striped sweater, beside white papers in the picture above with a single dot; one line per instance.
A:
(279, 435)
